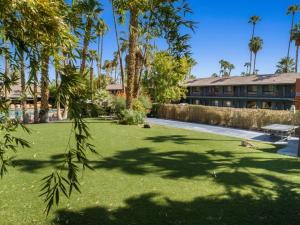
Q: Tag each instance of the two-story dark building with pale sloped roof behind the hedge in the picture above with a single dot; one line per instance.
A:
(275, 91)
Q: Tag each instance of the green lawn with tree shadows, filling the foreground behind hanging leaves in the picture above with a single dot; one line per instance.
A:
(157, 176)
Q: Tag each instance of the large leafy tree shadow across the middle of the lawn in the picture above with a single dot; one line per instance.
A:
(169, 164)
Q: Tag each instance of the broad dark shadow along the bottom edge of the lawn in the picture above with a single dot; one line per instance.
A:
(263, 209)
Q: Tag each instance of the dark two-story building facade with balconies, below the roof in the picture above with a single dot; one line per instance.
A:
(277, 97)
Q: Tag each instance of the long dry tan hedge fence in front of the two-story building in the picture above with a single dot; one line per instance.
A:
(229, 117)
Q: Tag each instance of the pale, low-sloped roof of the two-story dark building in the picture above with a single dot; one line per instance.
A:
(285, 78)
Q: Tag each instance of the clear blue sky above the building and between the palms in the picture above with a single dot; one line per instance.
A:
(223, 32)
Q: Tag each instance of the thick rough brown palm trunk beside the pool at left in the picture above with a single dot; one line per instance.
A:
(44, 117)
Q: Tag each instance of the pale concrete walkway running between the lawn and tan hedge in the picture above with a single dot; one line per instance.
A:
(288, 148)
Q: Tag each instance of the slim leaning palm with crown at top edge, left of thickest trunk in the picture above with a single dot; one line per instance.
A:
(91, 10)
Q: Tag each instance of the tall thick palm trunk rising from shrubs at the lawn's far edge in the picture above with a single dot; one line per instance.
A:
(133, 29)
